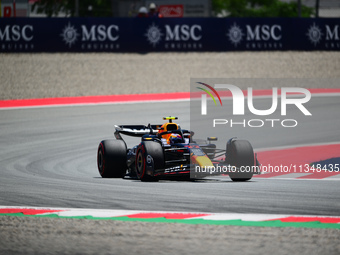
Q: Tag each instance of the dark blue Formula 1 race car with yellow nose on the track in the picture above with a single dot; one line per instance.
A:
(167, 150)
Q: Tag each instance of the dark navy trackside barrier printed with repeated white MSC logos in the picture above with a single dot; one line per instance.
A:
(167, 34)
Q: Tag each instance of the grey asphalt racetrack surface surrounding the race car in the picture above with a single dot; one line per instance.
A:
(48, 158)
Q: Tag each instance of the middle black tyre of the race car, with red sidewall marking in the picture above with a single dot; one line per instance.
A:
(152, 152)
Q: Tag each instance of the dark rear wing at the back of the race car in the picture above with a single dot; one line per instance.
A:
(135, 130)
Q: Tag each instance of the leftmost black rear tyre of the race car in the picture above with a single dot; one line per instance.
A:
(111, 159)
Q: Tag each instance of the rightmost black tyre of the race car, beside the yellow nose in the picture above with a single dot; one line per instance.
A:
(241, 156)
